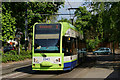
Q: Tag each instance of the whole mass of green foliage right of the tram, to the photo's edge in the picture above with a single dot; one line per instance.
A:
(100, 24)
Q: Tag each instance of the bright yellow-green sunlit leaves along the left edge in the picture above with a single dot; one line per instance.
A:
(8, 25)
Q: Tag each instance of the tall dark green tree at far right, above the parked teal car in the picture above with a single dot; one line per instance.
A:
(104, 22)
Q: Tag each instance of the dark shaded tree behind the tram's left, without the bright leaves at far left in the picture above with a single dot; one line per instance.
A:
(34, 11)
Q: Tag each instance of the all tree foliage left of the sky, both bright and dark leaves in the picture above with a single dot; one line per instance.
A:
(14, 16)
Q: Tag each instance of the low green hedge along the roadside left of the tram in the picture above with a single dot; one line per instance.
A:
(14, 56)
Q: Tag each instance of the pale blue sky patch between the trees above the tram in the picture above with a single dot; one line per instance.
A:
(69, 4)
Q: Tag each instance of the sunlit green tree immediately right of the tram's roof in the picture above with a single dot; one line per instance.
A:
(85, 23)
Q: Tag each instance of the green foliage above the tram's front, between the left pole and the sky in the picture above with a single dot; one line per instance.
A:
(35, 9)
